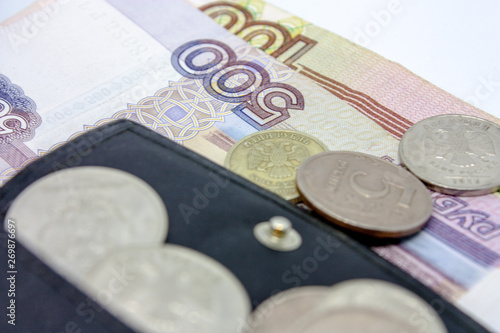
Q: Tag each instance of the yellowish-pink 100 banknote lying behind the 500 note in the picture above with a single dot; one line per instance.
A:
(383, 90)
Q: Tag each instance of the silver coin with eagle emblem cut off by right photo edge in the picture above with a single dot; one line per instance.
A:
(454, 154)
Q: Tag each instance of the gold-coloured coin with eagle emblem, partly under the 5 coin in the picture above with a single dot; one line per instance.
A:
(271, 158)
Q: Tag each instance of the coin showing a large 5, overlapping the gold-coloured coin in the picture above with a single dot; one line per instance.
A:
(364, 193)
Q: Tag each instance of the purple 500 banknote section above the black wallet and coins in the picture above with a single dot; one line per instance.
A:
(108, 60)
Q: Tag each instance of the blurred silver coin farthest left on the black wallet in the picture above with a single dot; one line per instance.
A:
(72, 218)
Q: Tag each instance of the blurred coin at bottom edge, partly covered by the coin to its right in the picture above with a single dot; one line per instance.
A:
(280, 312)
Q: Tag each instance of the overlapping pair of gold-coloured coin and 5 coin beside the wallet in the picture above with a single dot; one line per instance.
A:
(353, 190)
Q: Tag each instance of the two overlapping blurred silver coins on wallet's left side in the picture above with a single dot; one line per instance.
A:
(104, 231)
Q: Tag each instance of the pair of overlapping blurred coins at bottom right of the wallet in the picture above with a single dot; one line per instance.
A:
(354, 306)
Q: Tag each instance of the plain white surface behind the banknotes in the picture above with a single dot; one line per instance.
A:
(453, 44)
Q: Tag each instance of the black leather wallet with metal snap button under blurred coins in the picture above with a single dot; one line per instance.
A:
(210, 210)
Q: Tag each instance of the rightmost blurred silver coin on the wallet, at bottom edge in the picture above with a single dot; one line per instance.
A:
(370, 306)
